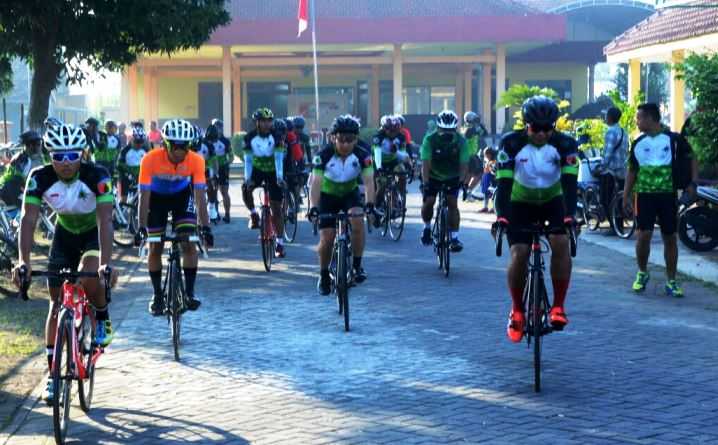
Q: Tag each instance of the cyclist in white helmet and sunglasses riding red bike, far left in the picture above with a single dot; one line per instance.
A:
(81, 195)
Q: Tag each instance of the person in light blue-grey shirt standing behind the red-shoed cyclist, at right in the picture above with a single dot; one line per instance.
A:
(613, 164)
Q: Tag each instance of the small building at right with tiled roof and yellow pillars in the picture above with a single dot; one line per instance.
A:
(668, 35)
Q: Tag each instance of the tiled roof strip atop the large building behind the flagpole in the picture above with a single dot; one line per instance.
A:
(267, 9)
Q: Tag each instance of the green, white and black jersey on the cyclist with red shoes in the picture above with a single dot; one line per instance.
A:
(536, 175)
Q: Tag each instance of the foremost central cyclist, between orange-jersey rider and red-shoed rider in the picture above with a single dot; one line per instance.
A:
(335, 187)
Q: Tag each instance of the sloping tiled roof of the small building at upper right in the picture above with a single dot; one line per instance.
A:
(668, 25)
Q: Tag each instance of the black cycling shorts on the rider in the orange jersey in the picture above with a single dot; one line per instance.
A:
(180, 205)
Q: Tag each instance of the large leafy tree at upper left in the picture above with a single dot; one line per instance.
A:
(64, 37)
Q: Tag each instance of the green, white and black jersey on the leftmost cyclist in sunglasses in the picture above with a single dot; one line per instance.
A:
(74, 201)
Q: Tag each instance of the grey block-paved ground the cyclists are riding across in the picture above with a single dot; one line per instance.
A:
(265, 360)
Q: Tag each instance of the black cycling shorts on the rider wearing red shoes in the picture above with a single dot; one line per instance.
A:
(523, 216)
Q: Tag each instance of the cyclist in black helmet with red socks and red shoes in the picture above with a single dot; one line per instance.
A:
(537, 174)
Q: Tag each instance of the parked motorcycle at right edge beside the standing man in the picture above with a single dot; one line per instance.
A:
(698, 222)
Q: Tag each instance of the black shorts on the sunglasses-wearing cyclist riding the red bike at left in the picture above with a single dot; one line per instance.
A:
(68, 249)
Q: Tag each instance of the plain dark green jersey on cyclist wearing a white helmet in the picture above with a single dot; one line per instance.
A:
(446, 152)
